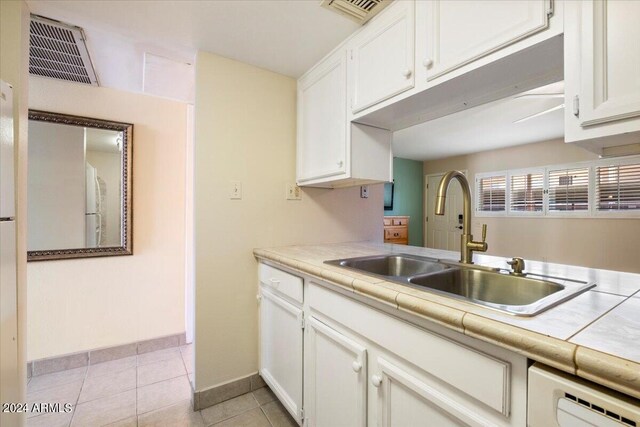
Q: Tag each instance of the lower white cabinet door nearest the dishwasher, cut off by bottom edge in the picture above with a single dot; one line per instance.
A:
(404, 399)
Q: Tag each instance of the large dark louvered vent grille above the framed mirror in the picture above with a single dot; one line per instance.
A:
(59, 51)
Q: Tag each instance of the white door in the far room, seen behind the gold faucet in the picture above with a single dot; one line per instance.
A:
(443, 232)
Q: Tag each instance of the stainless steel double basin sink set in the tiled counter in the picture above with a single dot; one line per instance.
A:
(493, 288)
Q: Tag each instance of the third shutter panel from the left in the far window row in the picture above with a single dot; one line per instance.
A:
(569, 190)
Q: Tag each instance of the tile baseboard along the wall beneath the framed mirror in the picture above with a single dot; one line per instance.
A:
(99, 355)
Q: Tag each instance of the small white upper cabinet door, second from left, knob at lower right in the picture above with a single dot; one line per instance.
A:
(382, 57)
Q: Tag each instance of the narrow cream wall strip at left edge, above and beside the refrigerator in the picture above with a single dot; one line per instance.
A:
(14, 66)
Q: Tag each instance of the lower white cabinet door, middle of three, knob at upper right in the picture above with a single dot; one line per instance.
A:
(336, 378)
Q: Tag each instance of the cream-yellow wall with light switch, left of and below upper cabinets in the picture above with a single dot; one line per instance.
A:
(245, 131)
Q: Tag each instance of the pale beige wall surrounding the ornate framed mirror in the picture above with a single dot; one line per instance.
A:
(81, 304)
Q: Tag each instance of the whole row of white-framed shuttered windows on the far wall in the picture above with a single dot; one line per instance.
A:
(601, 188)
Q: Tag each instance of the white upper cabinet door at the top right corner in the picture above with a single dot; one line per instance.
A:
(610, 61)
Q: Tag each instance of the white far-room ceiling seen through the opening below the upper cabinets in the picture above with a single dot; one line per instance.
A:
(487, 127)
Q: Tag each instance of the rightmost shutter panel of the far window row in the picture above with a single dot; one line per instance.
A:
(618, 188)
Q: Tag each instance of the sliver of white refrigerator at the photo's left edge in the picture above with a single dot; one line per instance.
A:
(9, 389)
